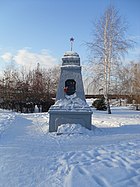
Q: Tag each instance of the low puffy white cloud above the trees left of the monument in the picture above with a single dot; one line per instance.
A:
(29, 60)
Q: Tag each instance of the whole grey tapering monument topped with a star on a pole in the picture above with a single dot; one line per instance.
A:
(70, 106)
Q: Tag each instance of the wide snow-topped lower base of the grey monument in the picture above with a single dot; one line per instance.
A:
(70, 110)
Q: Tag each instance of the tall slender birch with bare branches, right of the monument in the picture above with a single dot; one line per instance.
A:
(108, 46)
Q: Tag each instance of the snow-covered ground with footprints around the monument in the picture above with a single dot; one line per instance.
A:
(106, 156)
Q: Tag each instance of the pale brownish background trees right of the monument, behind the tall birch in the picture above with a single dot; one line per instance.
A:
(125, 81)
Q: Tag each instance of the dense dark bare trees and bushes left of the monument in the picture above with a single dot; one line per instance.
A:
(22, 89)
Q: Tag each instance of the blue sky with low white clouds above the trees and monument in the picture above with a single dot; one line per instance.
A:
(34, 31)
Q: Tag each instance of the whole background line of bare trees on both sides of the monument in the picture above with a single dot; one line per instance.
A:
(22, 90)
